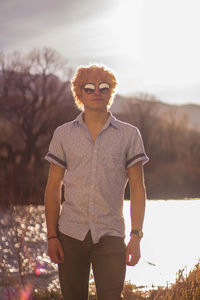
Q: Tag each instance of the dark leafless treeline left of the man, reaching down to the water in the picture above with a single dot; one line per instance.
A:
(33, 102)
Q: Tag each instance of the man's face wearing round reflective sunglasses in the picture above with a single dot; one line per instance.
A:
(96, 91)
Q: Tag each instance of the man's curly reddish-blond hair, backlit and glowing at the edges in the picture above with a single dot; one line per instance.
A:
(80, 79)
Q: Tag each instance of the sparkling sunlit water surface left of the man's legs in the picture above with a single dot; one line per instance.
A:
(23, 259)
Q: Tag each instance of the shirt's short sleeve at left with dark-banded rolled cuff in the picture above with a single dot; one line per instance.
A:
(56, 154)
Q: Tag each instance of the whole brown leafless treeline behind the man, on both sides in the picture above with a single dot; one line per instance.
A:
(34, 101)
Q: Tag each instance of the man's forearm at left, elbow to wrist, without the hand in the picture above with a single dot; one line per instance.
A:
(52, 208)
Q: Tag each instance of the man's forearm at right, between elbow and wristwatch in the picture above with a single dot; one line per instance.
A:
(137, 207)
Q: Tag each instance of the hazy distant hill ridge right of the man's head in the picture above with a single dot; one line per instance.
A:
(189, 113)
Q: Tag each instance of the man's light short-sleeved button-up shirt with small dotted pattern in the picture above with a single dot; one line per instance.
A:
(95, 175)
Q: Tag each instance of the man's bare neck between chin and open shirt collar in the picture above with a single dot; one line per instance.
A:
(95, 117)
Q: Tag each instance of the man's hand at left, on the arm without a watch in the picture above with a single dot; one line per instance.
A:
(55, 251)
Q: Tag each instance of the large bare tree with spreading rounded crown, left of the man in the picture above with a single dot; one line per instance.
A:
(32, 98)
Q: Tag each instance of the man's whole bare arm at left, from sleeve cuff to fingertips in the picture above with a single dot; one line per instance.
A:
(52, 210)
